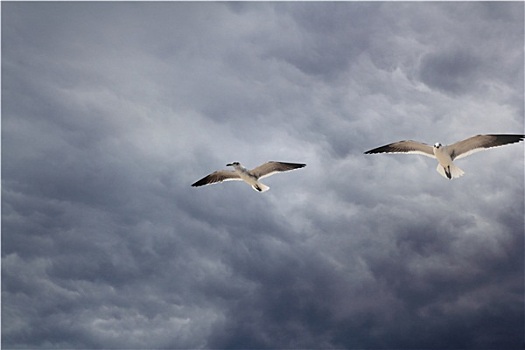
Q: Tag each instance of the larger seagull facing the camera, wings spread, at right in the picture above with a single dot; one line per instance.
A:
(446, 154)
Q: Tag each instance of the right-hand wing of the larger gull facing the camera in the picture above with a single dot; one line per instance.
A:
(479, 143)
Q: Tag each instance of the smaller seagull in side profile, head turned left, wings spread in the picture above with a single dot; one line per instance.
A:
(251, 177)
